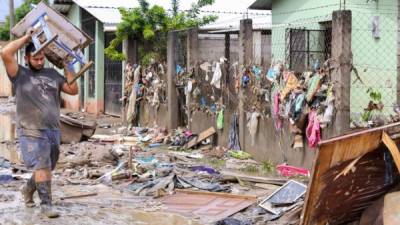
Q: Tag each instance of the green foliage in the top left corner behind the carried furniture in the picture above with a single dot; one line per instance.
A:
(20, 13)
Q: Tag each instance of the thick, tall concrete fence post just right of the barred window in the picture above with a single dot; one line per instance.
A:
(341, 76)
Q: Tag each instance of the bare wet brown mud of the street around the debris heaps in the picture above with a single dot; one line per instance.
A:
(80, 166)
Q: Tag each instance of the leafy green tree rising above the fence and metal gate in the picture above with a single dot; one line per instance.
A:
(149, 26)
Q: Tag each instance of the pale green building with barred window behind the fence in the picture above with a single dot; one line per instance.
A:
(301, 36)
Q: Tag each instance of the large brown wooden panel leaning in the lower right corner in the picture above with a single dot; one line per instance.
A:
(336, 199)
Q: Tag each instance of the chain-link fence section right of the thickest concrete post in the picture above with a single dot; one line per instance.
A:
(374, 75)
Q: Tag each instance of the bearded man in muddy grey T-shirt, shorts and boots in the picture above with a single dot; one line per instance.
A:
(38, 116)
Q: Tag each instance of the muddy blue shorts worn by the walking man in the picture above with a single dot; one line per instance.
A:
(39, 149)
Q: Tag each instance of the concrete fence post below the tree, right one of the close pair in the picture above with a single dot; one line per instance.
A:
(192, 64)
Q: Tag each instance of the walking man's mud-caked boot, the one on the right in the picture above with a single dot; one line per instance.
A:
(44, 191)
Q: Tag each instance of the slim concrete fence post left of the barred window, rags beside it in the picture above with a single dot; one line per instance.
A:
(245, 58)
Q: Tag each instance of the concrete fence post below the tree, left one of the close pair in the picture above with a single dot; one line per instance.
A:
(172, 98)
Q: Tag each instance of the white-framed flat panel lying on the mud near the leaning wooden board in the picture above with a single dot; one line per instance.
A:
(284, 198)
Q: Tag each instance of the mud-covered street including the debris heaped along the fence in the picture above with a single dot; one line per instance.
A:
(93, 183)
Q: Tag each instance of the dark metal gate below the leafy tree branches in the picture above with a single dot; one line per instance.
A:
(112, 81)
